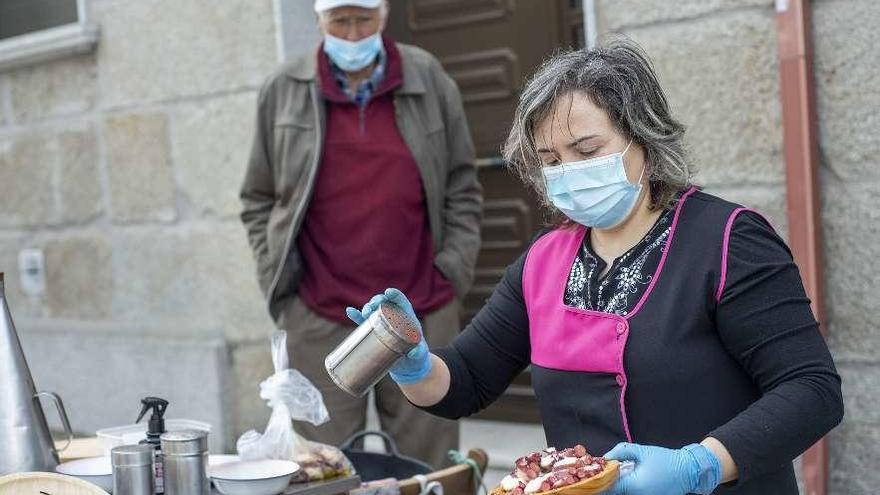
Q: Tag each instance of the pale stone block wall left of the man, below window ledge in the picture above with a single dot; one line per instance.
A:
(123, 166)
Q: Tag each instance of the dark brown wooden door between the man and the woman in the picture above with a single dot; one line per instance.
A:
(489, 47)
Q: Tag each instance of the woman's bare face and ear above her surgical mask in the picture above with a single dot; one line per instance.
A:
(577, 130)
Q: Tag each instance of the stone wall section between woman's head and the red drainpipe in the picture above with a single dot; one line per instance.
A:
(717, 62)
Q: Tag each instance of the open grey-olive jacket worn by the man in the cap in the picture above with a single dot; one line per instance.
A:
(286, 153)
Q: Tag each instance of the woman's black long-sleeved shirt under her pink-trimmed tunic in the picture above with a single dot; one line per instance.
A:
(763, 318)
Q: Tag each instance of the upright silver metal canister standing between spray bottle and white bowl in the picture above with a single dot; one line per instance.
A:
(186, 462)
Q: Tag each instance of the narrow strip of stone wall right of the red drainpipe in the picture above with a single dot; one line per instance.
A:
(848, 99)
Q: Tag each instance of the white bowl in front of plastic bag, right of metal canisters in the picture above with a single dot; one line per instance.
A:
(266, 477)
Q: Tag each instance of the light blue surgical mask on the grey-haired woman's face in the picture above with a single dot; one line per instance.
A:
(594, 192)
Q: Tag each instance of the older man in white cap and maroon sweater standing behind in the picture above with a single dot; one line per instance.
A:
(361, 177)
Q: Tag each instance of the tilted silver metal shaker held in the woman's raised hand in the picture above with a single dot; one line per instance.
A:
(366, 355)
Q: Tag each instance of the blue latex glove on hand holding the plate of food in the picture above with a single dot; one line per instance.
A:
(662, 471)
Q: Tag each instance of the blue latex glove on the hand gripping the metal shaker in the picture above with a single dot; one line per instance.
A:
(416, 365)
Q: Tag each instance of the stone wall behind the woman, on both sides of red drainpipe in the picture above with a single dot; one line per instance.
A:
(717, 61)
